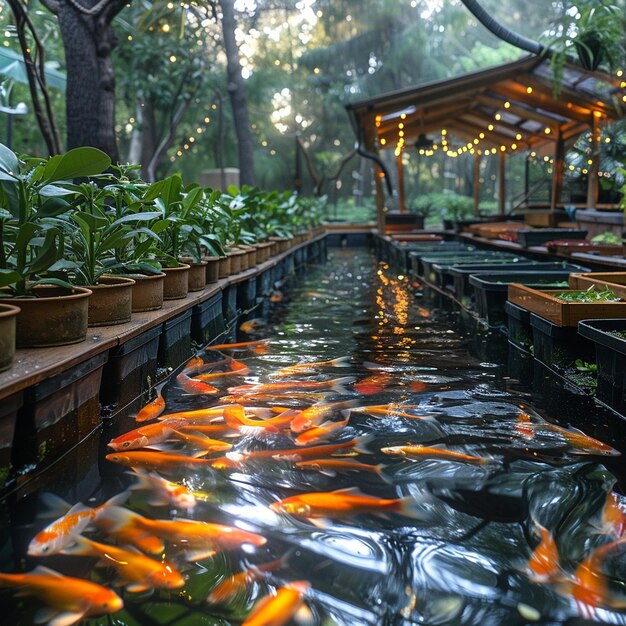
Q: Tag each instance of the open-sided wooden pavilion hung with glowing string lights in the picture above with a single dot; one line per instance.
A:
(497, 111)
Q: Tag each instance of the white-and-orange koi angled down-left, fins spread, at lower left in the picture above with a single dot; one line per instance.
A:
(58, 535)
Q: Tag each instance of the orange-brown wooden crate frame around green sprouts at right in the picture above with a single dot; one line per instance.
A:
(544, 304)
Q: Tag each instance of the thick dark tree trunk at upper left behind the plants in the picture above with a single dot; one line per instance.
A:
(88, 40)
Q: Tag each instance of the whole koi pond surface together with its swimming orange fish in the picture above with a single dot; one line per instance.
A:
(424, 486)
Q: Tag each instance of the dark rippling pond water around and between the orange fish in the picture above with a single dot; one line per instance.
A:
(462, 557)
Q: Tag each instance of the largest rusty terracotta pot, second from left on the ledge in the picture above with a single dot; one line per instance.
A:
(56, 317)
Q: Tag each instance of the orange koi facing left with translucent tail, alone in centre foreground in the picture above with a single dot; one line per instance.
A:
(343, 503)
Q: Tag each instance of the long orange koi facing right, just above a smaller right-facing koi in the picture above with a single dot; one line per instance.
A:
(199, 539)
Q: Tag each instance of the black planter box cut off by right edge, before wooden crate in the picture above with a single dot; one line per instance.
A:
(610, 359)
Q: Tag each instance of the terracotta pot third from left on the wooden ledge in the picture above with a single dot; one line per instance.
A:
(111, 301)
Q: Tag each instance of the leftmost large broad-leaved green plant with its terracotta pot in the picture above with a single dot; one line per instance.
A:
(31, 190)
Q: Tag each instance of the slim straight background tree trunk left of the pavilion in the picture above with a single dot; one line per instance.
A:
(237, 93)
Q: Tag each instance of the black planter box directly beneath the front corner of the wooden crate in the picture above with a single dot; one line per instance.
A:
(559, 347)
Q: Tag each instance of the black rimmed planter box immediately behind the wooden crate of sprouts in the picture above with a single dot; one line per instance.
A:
(491, 288)
